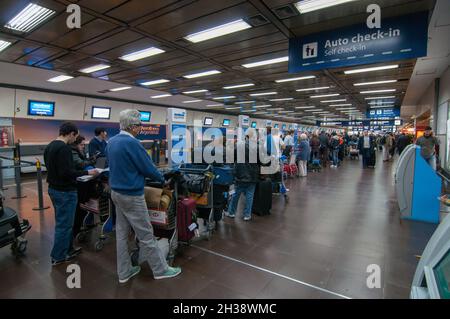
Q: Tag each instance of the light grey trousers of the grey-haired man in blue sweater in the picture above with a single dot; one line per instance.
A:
(131, 212)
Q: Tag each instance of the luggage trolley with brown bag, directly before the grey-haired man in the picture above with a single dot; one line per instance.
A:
(164, 223)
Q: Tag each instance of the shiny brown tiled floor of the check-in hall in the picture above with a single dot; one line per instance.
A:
(318, 245)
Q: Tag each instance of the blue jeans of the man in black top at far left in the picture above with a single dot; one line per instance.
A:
(65, 205)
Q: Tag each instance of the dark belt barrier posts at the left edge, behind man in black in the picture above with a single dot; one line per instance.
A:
(18, 164)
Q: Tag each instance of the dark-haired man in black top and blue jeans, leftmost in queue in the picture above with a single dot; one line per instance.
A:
(62, 189)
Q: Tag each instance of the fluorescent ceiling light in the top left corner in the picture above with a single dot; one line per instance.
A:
(29, 18)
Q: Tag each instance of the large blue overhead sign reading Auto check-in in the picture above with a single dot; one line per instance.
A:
(398, 38)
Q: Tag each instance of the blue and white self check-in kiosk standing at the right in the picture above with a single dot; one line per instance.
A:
(418, 187)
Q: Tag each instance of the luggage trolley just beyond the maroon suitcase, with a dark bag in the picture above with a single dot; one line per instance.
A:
(205, 201)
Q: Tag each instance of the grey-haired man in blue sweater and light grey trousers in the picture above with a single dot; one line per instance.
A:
(129, 165)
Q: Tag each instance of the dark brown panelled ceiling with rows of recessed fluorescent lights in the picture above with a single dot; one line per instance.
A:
(173, 48)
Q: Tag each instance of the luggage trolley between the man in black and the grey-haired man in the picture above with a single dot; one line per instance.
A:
(99, 213)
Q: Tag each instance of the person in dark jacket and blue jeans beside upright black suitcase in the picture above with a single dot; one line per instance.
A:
(246, 175)
